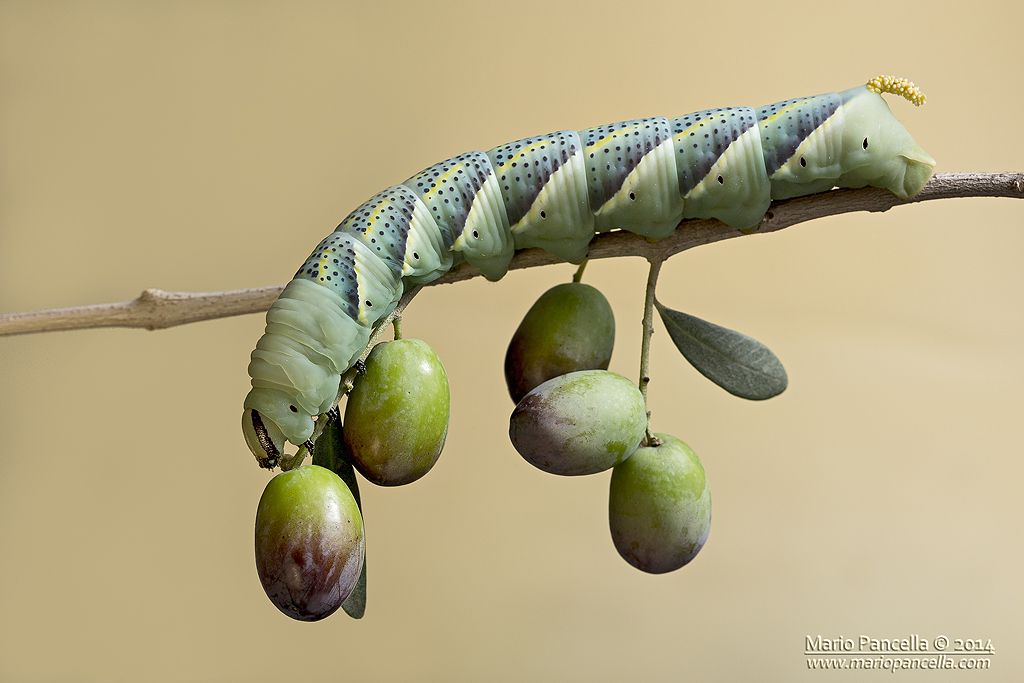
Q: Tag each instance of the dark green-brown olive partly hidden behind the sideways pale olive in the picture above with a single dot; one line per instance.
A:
(570, 328)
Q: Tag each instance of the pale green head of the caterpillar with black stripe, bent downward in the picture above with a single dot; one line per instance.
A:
(270, 420)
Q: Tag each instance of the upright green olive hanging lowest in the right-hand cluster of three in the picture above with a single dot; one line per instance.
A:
(660, 506)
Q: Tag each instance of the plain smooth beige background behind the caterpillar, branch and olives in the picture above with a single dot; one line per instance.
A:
(210, 146)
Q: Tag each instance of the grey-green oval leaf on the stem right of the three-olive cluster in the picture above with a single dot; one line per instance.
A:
(739, 364)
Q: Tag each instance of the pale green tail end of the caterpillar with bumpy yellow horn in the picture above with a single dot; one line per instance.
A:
(878, 150)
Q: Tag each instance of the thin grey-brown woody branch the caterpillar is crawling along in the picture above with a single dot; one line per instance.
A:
(157, 310)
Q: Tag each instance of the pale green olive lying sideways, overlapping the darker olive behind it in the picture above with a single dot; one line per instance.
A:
(580, 423)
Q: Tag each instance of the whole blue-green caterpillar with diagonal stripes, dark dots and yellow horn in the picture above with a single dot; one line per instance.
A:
(556, 192)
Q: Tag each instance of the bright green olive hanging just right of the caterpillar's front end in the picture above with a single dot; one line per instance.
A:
(398, 414)
